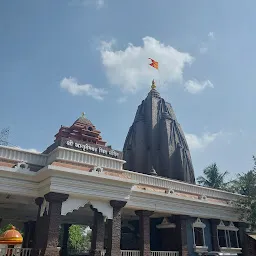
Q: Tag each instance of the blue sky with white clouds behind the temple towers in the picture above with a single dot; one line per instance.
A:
(60, 58)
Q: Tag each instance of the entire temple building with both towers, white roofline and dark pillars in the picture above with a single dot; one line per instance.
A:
(139, 202)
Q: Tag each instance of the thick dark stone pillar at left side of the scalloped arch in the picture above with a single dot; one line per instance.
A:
(53, 222)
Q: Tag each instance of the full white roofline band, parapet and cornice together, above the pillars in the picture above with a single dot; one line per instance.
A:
(101, 186)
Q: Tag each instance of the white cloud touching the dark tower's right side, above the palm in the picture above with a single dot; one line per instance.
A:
(199, 143)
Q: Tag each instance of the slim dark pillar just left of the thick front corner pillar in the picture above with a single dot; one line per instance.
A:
(38, 238)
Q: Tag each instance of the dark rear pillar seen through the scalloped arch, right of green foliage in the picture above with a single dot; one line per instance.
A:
(98, 231)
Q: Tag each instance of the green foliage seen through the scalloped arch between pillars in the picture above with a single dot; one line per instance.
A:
(78, 239)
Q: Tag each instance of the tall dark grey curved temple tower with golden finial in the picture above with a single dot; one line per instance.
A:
(155, 143)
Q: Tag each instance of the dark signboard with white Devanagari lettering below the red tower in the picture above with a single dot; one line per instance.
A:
(97, 149)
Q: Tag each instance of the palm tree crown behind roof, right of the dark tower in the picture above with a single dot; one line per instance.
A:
(213, 177)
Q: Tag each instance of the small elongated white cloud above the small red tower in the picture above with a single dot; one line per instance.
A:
(72, 86)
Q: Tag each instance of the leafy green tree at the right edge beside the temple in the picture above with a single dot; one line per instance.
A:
(245, 184)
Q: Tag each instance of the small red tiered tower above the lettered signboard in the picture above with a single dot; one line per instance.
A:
(81, 130)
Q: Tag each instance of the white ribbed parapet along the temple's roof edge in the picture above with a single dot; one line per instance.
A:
(74, 156)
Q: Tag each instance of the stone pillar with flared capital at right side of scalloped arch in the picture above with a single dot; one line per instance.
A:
(114, 229)
